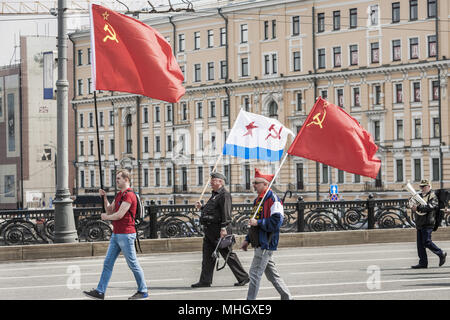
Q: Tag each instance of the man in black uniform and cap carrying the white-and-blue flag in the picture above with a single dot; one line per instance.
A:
(216, 219)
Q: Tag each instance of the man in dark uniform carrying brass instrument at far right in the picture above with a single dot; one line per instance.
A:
(424, 216)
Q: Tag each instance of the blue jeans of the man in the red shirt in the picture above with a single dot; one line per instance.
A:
(121, 243)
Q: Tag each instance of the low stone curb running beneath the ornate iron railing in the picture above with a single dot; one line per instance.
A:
(305, 239)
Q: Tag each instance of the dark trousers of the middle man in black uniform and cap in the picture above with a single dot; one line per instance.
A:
(209, 263)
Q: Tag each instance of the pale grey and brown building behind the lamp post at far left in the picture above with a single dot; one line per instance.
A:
(28, 127)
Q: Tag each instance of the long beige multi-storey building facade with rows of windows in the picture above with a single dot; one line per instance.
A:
(385, 62)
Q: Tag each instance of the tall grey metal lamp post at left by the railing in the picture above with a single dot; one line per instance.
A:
(65, 231)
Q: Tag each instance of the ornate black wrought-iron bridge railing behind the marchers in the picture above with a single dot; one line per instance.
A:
(171, 221)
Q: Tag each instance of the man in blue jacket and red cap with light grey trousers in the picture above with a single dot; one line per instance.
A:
(263, 236)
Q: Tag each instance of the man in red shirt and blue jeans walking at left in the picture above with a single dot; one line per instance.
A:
(122, 212)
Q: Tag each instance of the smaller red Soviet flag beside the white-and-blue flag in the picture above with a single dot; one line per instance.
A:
(331, 136)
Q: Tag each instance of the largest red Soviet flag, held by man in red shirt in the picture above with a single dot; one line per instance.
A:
(130, 56)
